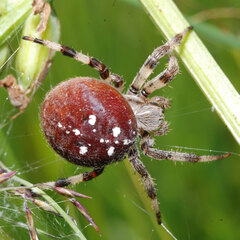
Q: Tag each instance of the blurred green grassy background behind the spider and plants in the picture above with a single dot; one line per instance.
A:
(197, 201)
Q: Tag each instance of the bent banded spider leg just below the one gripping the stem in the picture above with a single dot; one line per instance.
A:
(163, 78)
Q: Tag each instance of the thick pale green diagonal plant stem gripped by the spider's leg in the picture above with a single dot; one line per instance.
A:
(206, 72)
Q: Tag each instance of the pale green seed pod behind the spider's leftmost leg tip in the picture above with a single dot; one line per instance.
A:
(31, 59)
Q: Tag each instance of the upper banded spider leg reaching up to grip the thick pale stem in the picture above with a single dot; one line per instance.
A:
(153, 59)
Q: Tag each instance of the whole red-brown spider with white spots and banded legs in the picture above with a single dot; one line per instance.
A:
(91, 123)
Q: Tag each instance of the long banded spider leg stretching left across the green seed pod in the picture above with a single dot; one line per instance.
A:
(92, 62)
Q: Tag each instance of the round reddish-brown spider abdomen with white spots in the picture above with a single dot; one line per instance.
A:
(88, 122)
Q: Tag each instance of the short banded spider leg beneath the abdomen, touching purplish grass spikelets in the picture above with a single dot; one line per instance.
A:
(82, 177)
